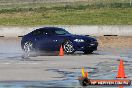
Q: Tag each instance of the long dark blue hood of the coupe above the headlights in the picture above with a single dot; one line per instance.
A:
(86, 38)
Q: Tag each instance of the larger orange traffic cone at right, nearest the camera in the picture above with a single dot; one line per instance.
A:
(121, 72)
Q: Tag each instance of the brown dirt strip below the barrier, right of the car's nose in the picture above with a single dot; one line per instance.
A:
(115, 41)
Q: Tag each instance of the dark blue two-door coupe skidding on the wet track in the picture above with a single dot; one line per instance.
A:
(52, 38)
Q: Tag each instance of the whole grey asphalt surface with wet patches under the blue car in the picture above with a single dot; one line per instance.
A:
(45, 70)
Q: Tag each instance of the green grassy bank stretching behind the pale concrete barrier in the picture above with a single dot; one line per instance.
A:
(34, 14)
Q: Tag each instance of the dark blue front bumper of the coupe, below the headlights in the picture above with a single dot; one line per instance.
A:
(86, 46)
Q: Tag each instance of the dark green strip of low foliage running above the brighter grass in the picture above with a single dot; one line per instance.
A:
(67, 7)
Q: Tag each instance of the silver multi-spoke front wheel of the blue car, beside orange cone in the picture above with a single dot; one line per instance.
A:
(68, 47)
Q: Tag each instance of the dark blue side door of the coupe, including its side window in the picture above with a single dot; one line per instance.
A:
(45, 39)
